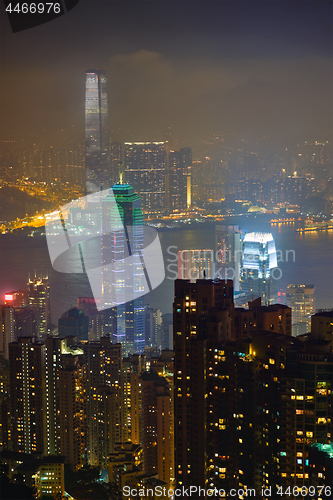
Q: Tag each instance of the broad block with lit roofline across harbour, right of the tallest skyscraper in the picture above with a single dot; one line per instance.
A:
(145, 169)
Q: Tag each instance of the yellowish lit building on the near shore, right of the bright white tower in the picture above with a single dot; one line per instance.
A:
(301, 299)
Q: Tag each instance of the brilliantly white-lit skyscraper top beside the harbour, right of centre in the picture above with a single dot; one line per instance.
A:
(259, 261)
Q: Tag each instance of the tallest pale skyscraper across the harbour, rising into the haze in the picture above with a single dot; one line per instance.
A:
(98, 175)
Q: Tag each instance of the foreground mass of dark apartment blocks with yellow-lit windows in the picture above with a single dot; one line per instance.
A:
(238, 403)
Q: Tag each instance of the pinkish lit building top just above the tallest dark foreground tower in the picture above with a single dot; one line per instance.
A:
(195, 264)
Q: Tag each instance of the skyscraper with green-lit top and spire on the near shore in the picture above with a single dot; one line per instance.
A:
(128, 316)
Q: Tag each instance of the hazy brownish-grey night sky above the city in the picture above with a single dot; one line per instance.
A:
(201, 67)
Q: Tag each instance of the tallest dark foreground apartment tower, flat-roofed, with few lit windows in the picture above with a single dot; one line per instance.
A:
(192, 300)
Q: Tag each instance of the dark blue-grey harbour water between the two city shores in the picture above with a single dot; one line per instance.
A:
(304, 258)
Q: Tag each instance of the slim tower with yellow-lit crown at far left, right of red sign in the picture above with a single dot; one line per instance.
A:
(39, 298)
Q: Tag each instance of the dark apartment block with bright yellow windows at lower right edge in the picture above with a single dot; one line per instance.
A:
(306, 409)
